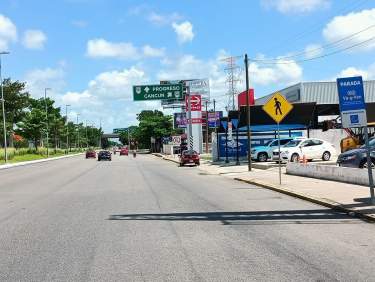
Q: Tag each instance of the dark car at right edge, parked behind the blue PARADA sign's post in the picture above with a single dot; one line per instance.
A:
(357, 157)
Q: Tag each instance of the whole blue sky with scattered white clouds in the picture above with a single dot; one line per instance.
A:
(90, 52)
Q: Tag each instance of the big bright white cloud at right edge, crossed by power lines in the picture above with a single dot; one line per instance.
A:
(343, 26)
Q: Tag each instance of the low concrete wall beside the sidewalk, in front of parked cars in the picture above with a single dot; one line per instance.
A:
(341, 174)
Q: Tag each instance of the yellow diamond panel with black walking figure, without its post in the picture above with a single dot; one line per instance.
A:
(277, 107)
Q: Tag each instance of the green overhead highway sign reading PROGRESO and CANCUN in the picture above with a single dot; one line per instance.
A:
(157, 92)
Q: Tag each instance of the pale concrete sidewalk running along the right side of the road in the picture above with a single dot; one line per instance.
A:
(349, 198)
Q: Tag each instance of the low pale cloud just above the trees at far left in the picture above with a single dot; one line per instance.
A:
(38, 79)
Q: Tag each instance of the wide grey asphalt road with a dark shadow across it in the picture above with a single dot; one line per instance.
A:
(145, 219)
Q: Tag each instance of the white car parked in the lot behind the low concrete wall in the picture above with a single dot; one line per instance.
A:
(311, 148)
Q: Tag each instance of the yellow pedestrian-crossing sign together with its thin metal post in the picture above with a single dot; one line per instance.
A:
(277, 107)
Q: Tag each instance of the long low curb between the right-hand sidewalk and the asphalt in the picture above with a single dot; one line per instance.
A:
(323, 202)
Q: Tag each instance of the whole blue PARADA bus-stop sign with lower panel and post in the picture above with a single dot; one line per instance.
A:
(353, 114)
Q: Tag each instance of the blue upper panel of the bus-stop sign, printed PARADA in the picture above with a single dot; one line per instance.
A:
(351, 94)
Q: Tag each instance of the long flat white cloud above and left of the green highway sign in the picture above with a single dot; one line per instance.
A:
(101, 48)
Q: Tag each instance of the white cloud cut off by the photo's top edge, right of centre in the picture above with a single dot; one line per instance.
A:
(296, 6)
